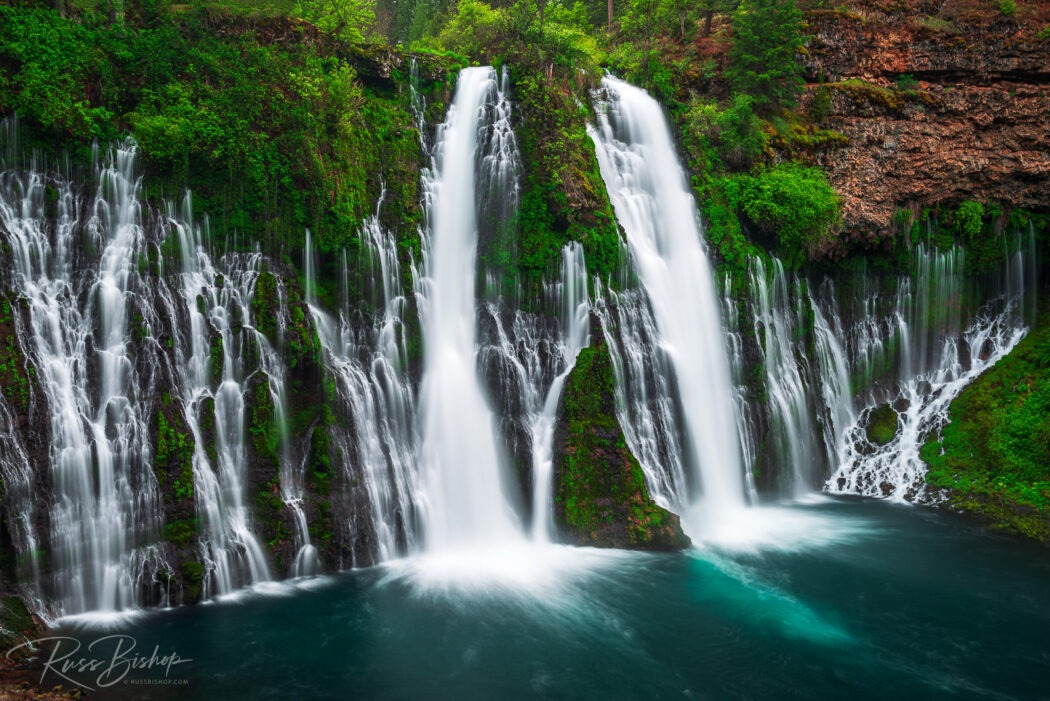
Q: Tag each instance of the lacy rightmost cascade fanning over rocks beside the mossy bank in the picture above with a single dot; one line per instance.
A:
(942, 345)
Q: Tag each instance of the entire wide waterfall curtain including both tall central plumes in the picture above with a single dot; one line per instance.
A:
(181, 419)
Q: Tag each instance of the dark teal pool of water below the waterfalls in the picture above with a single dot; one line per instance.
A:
(853, 600)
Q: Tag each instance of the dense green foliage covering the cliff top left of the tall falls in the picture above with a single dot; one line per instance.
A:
(274, 136)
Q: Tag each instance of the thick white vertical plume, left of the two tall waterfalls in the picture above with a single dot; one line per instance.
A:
(466, 502)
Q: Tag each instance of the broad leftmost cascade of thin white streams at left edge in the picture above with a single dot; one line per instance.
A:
(104, 497)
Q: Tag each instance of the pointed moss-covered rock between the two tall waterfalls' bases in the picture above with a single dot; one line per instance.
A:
(600, 492)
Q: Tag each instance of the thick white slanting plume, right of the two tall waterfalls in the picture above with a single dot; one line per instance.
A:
(649, 193)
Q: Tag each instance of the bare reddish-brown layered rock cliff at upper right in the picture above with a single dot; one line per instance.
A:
(937, 110)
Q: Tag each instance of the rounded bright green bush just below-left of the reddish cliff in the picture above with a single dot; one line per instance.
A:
(794, 202)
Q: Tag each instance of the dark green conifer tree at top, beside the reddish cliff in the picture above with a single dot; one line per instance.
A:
(767, 38)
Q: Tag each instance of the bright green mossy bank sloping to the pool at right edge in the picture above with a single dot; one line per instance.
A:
(995, 455)
